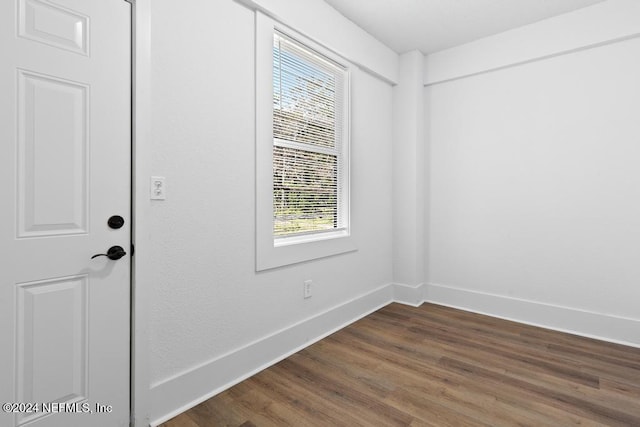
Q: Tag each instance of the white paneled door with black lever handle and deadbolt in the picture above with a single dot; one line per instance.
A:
(65, 154)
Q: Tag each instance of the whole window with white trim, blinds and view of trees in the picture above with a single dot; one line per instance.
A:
(302, 148)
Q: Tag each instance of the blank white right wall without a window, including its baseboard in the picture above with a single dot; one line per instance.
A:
(535, 188)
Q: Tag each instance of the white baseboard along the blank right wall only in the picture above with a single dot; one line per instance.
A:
(601, 326)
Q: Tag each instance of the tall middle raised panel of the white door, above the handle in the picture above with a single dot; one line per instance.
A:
(52, 156)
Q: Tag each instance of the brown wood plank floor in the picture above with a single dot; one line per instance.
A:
(436, 366)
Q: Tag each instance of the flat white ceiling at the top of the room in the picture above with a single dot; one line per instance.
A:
(433, 25)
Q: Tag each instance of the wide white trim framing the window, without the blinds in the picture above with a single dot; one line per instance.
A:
(270, 252)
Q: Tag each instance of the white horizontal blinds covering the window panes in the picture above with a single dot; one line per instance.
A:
(309, 168)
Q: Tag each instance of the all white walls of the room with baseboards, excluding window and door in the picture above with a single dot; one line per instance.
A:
(528, 184)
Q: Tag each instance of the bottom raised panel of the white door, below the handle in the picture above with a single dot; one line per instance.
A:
(52, 342)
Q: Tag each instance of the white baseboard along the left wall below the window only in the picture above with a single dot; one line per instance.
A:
(175, 395)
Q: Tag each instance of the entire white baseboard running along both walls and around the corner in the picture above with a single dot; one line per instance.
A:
(175, 395)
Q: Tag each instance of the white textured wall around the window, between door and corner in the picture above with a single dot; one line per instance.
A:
(206, 300)
